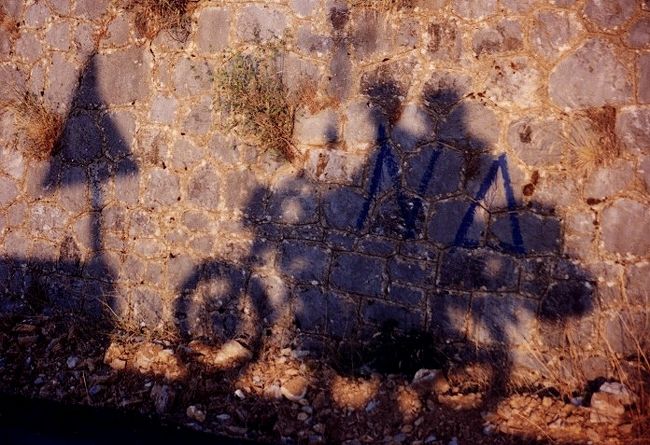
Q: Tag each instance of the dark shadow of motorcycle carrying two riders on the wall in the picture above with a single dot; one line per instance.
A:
(431, 254)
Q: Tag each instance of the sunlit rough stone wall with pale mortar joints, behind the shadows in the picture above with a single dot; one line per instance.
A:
(444, 191)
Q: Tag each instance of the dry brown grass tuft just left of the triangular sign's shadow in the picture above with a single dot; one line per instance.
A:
(39, 127)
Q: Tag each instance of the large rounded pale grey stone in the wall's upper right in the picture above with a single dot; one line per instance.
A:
(592, 76)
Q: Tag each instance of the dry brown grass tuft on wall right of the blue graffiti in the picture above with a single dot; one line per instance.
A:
(592, 139)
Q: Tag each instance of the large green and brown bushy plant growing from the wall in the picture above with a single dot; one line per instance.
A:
(254, 99)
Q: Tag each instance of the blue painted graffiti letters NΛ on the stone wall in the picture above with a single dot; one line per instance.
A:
(410, 208)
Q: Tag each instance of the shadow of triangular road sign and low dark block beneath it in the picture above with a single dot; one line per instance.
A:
(92, 150)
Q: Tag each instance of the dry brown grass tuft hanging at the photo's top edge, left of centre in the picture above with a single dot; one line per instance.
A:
(154, 16)
